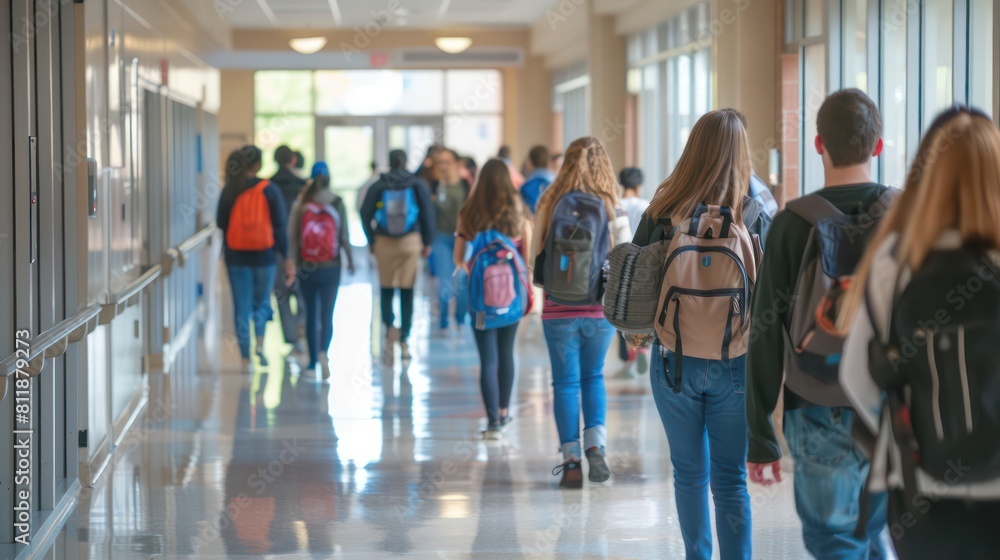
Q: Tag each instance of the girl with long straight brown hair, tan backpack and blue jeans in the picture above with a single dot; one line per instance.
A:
(699, 354)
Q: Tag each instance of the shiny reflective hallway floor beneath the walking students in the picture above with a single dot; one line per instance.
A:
(382, 463)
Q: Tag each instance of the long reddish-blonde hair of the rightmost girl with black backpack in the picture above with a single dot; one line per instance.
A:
(954, 183)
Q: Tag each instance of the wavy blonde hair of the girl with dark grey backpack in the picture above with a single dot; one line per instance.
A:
(586, 168)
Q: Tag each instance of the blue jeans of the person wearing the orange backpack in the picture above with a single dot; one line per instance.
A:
(251, 287)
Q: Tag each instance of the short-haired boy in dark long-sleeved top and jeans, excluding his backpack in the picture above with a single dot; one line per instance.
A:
(829, 471)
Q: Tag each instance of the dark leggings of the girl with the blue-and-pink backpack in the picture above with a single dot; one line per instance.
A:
(496, 373)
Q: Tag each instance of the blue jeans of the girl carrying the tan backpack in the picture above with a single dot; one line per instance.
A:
(706, 427)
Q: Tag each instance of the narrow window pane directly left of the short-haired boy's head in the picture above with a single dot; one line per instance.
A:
(814, 89)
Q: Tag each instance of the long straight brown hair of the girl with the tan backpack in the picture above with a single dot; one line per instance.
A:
(714, 168)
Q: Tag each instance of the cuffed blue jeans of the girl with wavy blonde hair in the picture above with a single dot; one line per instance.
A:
(577, 348)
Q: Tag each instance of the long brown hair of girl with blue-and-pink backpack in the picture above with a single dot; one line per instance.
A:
(494, 203)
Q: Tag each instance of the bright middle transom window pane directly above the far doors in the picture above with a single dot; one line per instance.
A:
(379, 92)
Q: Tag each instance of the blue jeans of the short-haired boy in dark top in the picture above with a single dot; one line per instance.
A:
(829, 474)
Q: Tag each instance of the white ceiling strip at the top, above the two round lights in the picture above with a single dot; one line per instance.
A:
(421, 14)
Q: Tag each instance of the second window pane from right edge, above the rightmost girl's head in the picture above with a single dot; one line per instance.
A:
(938, 56)
